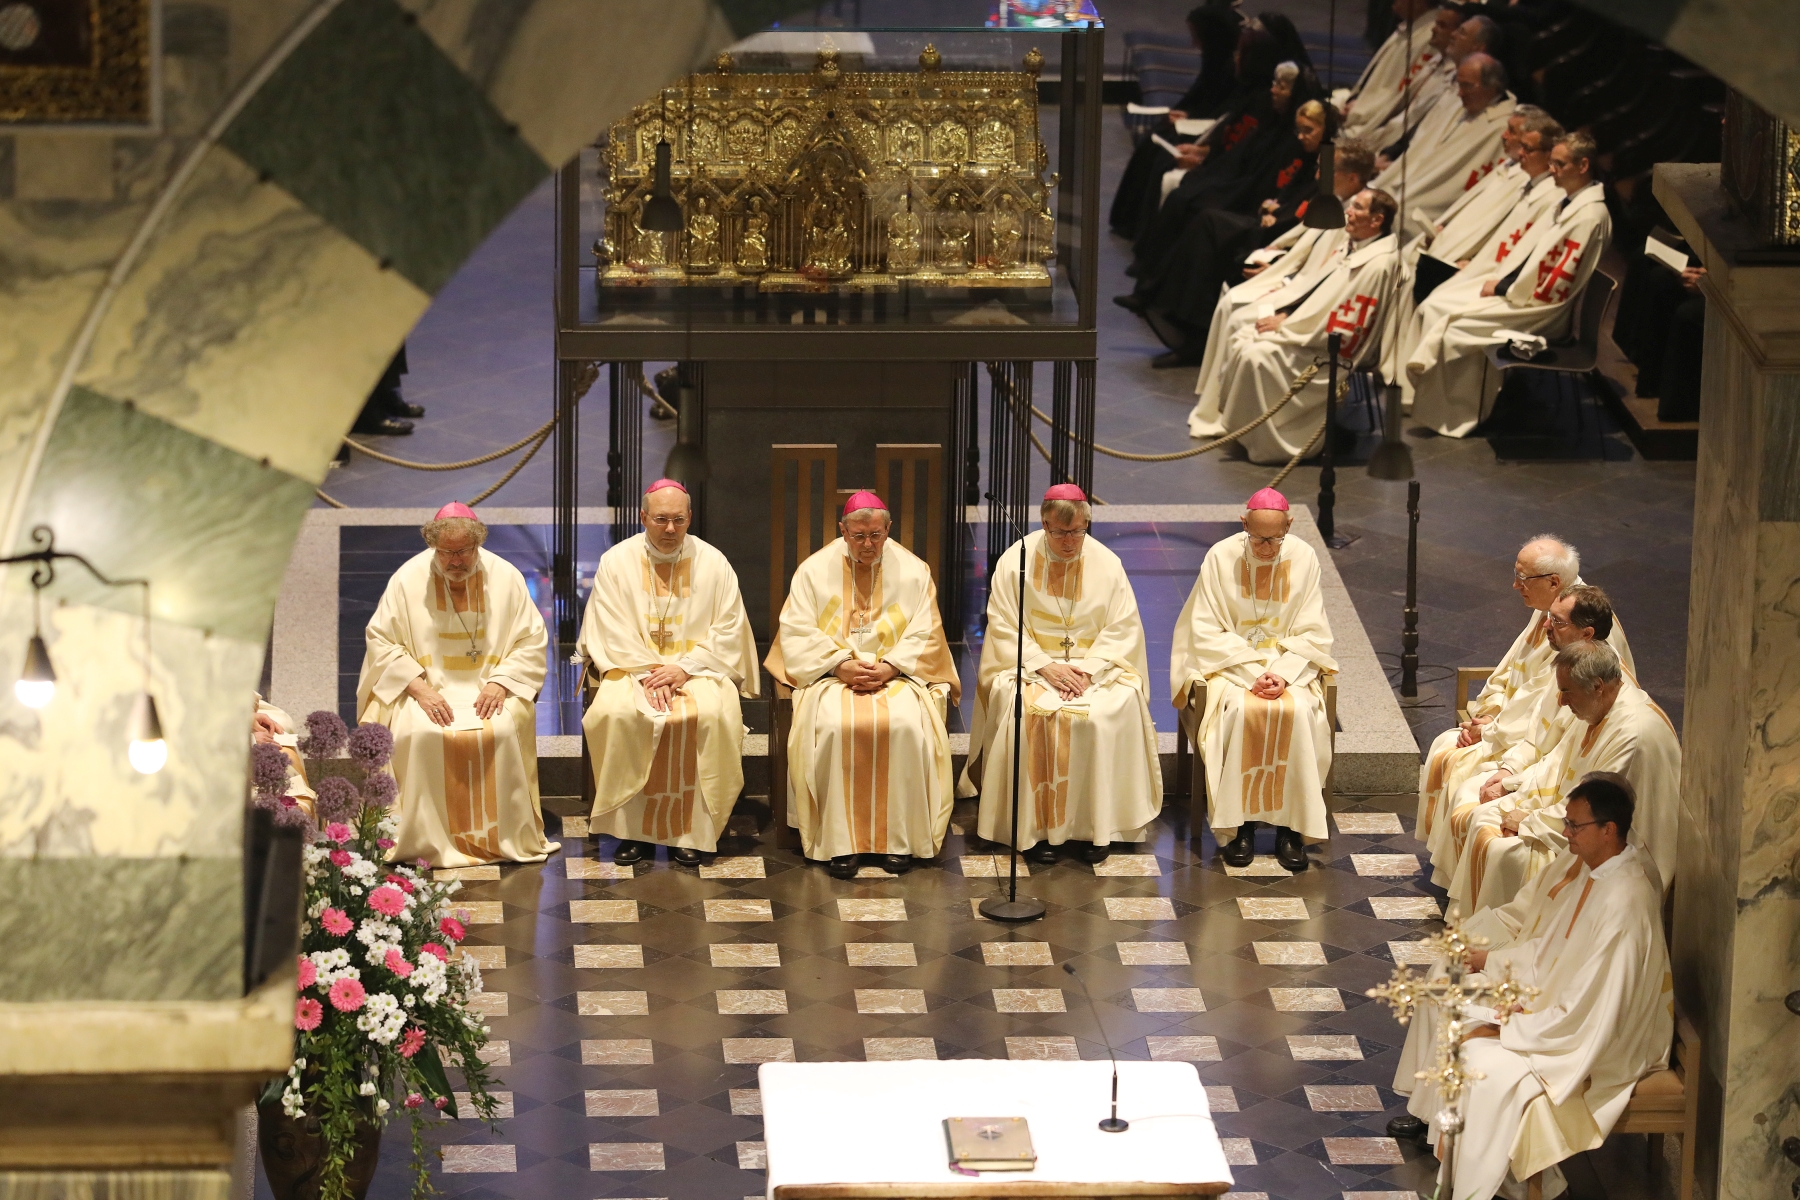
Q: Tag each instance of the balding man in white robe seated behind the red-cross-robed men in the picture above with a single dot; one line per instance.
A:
(1453, 148)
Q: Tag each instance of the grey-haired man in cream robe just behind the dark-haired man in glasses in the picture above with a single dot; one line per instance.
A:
(1513, 823)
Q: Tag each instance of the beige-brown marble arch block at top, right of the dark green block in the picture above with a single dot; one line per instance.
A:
(508, 49)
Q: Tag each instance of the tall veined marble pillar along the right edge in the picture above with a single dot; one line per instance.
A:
(1738, 893)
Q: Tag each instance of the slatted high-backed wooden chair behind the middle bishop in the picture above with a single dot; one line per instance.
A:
(903, 472)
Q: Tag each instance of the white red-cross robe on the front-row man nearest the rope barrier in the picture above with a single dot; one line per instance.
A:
(1261, 368)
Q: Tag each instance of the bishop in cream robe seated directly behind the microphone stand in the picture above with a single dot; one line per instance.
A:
(1090, 771)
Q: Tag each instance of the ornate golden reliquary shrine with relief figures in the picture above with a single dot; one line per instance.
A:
(832, 179)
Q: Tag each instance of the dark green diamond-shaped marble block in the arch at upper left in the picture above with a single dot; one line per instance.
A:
(373, 129)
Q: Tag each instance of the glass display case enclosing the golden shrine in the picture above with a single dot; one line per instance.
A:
(863, 192)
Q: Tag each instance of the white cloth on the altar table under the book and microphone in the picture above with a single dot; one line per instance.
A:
(883, 1124)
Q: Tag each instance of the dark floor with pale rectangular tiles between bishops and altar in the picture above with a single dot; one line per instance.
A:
(631, 1007)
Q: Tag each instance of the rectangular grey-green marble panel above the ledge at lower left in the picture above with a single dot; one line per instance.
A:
(121, 929)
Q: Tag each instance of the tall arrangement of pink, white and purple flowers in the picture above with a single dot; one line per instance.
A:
(381, 1005)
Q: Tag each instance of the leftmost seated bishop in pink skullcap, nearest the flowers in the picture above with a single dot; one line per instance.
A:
(454, 665)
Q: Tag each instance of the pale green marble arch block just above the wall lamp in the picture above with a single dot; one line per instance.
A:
(210, 528)
